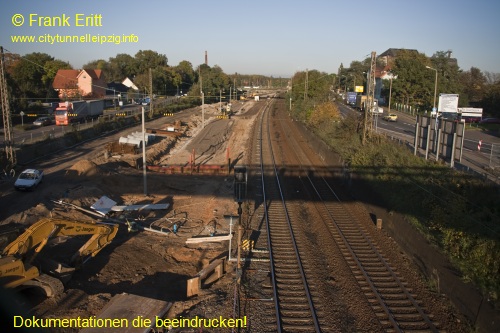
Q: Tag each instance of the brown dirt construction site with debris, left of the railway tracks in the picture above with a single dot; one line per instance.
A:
(170, 222)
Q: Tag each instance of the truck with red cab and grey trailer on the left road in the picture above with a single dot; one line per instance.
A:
(78, 111)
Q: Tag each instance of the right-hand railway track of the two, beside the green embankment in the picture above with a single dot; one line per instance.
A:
(391, 299)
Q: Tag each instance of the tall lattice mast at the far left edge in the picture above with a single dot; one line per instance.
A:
(7, 123)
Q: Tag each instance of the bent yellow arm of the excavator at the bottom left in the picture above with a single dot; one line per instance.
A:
(15, 263)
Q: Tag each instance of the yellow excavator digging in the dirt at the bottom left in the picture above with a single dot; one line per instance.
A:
(17, 268)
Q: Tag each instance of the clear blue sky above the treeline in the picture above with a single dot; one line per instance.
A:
(266, 37)
